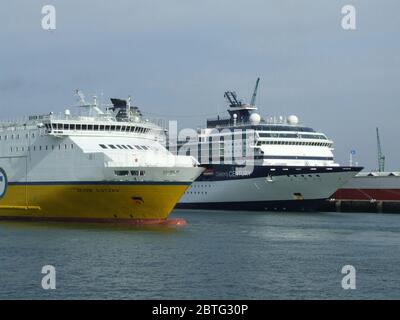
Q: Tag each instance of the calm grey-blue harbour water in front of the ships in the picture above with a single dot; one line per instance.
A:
(218, 255)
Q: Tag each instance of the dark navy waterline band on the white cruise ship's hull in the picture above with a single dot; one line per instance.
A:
(283, 205)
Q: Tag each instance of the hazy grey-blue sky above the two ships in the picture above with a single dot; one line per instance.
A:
(177, 57)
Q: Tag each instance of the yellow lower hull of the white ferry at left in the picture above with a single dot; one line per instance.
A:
(96, 202)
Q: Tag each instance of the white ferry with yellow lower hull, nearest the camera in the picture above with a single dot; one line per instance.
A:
(102, 163)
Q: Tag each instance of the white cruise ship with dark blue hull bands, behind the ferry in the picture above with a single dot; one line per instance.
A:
(277, 163)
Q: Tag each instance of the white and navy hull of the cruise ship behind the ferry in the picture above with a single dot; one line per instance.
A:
(267, 189)
